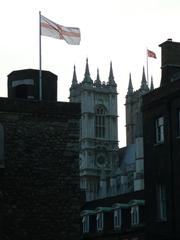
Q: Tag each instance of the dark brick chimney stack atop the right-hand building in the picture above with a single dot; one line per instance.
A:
(170, 61)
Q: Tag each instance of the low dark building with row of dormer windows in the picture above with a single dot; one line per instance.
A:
(114, 218)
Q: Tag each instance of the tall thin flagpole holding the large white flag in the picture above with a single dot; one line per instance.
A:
(40, 62)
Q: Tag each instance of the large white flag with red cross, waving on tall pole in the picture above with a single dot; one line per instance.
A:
(51, 29)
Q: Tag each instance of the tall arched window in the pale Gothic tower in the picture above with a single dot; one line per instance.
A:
(100, 122)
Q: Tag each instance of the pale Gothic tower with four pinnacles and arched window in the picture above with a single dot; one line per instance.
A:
(99, 133)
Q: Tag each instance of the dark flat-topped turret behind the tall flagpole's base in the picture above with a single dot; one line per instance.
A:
(25, 84)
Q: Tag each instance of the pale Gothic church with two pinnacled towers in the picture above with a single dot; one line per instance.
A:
(105, 169)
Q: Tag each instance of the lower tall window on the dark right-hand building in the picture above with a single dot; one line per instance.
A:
(161, 202)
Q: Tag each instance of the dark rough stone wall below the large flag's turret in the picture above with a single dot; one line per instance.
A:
(41, 193)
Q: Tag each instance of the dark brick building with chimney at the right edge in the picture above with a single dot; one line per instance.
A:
(161, 118)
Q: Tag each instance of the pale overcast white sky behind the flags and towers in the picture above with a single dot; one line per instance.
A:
(111, 30)
